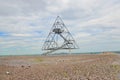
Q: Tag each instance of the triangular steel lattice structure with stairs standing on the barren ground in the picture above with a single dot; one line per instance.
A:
(59, 38)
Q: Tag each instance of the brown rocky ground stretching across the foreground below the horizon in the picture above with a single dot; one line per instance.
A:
(67, 67)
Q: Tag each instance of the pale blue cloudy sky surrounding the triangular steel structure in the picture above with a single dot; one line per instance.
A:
(25, 24)
